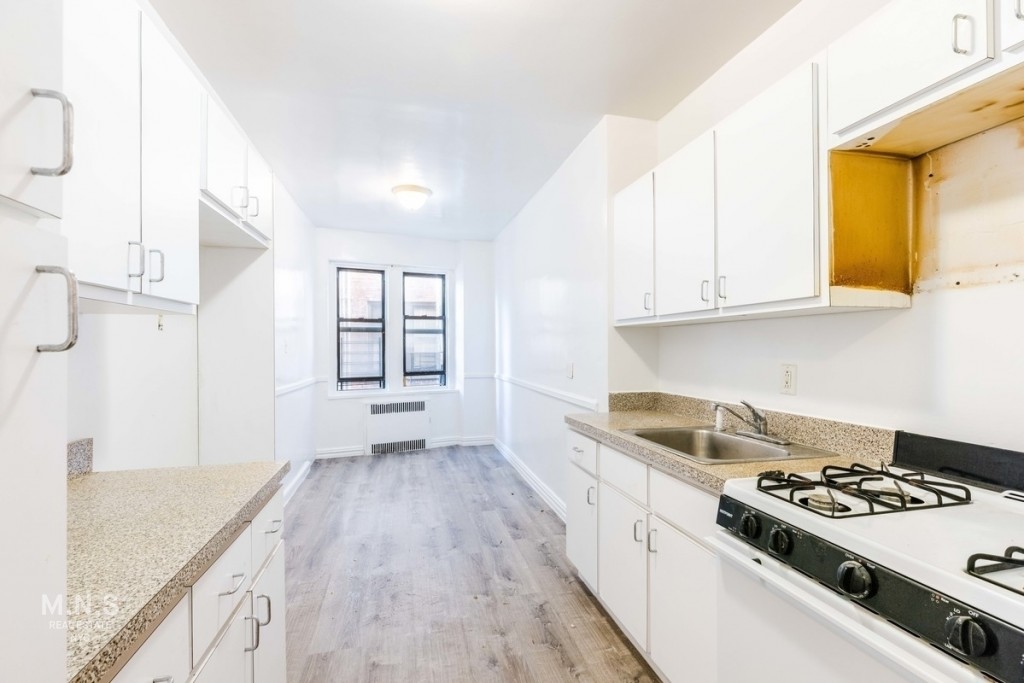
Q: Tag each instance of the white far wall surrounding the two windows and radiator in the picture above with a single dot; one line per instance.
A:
(340, 424)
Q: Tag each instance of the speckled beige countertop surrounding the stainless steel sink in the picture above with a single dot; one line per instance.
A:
(608, 429)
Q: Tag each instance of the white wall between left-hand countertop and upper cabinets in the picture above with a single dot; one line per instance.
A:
(133, 388)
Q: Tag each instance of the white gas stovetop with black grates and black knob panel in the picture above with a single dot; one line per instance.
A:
(942, 559)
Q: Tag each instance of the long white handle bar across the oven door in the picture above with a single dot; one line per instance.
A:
(827, 608)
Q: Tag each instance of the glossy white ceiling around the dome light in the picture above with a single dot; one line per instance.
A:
(479, 100)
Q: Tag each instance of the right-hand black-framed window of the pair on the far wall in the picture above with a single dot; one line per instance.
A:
(424, 330)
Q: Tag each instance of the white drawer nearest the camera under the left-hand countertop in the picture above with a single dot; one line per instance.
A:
(166, 655)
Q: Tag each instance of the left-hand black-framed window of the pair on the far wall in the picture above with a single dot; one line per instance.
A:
(361, 329)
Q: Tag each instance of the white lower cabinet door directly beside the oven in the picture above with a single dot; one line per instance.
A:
(684, 626)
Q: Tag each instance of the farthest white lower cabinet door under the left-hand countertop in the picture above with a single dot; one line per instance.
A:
(269, 608)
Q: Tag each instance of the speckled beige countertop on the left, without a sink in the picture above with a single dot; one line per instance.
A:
(138, 540)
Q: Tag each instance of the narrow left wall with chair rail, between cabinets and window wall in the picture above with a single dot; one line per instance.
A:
(294, 335)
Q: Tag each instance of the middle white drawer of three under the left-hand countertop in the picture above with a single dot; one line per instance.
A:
(219, 592)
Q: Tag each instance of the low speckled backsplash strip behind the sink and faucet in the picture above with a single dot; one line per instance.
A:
(869, 444)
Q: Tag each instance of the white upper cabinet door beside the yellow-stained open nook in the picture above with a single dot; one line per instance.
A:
(767, 209)
